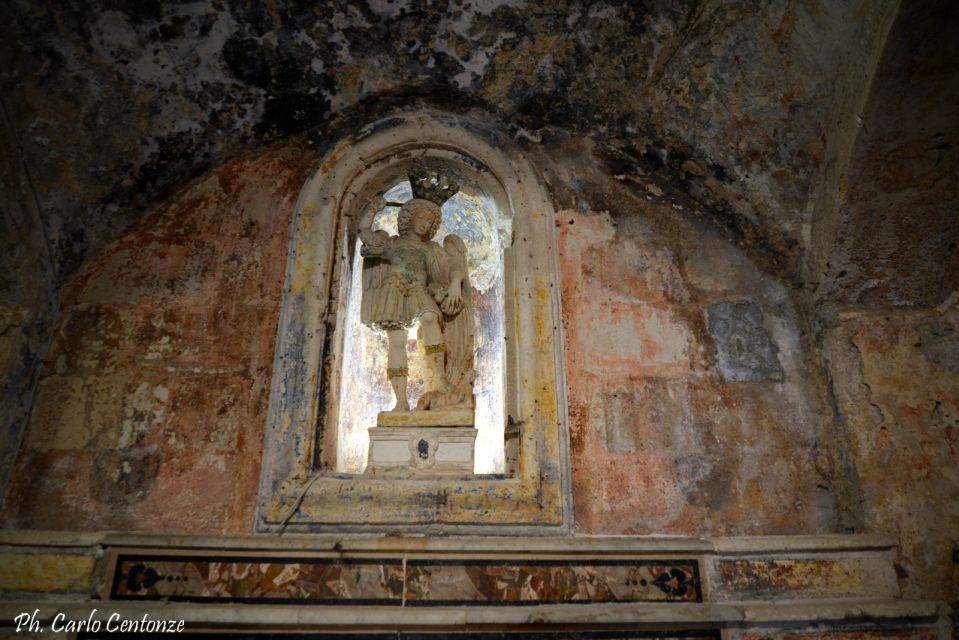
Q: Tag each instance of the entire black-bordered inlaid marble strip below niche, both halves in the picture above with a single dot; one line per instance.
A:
(391, 581)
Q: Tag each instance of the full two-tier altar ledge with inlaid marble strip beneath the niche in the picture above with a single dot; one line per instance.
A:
(824, 587)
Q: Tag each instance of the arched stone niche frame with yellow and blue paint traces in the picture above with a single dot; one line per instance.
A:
(305, 484)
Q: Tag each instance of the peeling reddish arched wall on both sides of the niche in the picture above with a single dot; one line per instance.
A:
(683, 357)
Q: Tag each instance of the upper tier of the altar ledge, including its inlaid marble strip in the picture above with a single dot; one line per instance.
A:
(453, 571)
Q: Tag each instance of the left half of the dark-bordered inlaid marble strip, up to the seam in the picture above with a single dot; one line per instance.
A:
(263, 580)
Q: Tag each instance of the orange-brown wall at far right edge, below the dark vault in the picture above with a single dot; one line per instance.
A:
(897, 385)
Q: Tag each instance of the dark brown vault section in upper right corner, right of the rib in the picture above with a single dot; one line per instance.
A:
(897, 243)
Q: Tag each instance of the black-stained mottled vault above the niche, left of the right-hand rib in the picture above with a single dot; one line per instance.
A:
(117, 101)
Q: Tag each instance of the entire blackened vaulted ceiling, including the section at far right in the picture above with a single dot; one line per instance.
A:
(804, 128)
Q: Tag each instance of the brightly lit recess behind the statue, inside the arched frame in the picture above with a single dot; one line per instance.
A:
(356, 388)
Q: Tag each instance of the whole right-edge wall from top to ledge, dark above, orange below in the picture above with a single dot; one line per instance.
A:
(887, 303)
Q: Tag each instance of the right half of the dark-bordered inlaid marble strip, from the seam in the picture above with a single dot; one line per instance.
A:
(499, 582)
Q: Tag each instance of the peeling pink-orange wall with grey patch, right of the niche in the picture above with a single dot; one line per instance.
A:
(690, 408)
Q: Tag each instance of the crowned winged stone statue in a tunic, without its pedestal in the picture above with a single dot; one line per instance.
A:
(410, 277)
